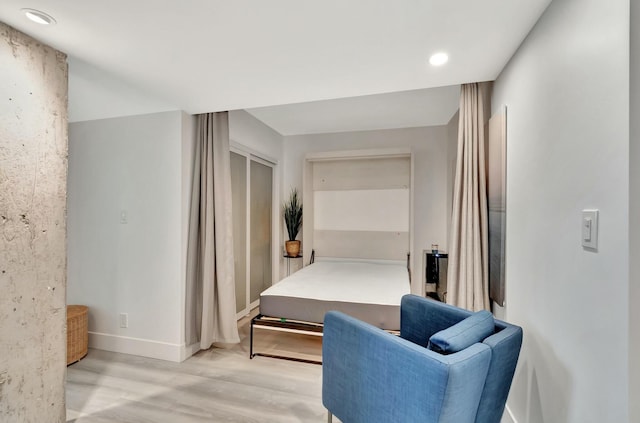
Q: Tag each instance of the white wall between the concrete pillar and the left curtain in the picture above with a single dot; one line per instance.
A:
(130, 164)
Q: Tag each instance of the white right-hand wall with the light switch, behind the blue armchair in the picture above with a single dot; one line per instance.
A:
(566, 92)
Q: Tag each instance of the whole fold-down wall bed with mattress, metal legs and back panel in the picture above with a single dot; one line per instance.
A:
(358, 219)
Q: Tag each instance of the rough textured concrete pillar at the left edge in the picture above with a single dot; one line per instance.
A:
(33, 172)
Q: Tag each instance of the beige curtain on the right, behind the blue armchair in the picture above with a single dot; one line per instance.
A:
(468, 269)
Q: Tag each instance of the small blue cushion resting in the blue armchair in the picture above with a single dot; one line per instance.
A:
(467, 332)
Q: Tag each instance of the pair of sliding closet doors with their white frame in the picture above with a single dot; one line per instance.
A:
(252, 198)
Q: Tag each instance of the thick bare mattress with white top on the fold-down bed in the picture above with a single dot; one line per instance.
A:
(370, 291)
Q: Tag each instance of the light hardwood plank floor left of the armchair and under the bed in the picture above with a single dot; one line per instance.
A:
(217, 385)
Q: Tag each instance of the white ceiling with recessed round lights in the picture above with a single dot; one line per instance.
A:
(210, 55)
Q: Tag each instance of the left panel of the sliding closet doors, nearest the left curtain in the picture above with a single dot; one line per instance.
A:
(239, 207)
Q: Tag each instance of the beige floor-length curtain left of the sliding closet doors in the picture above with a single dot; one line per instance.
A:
(210, 297)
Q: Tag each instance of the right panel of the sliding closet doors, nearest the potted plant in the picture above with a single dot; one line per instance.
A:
(260, 209)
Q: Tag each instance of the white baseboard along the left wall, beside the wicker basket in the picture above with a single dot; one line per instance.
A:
(142, 347)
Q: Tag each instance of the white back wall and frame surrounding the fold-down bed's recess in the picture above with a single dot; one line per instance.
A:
(429, 146)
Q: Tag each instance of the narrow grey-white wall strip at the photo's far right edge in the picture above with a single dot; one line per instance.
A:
(634, 212)
